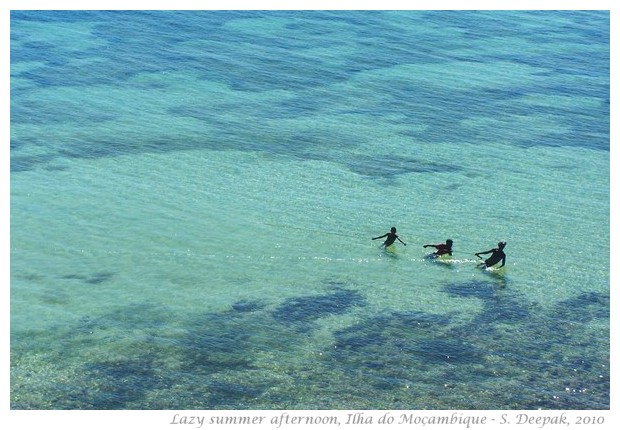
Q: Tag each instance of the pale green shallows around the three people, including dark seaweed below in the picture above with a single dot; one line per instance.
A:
(243, 267)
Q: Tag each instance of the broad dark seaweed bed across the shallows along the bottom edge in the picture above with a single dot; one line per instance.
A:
(527, 361)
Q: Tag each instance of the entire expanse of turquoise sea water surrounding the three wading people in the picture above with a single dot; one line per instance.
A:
(193, 197)
